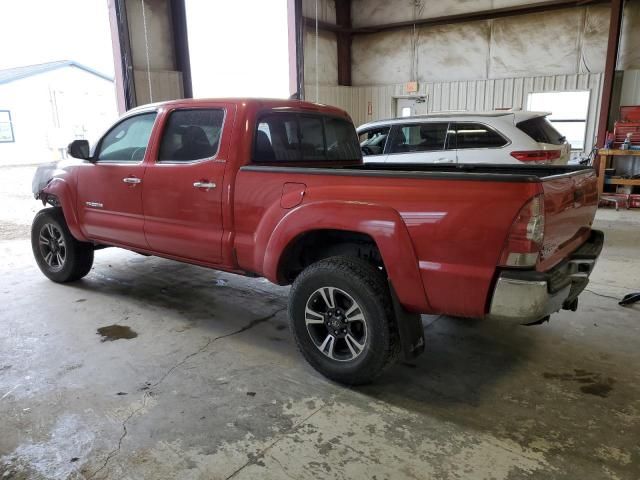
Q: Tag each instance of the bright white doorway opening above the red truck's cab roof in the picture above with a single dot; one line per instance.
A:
(238, 49)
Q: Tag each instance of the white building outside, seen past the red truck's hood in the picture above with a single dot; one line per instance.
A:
(44, 107)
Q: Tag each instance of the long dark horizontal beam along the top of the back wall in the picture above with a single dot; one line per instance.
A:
(513, 11)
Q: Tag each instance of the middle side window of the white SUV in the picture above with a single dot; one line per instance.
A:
(420, 137)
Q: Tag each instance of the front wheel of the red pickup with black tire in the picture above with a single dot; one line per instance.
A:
(70, 259)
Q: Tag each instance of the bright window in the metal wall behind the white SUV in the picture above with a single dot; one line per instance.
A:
(569, 112)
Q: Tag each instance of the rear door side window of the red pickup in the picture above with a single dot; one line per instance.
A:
(191, 135)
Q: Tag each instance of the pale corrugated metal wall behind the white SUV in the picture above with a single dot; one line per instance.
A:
(472, 95)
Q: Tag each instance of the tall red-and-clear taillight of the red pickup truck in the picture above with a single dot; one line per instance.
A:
(525, 238)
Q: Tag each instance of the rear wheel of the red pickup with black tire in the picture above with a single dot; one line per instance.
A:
(354, 280)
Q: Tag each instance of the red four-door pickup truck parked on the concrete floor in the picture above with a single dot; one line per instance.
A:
(278, 189)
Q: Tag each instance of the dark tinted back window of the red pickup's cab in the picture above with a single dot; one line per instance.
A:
(285, 137)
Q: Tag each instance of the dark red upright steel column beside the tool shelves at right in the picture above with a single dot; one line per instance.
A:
(615, 21)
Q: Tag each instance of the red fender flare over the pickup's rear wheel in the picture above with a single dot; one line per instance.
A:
(383, 224)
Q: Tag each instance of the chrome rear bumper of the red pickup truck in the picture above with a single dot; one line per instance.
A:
(529, 296)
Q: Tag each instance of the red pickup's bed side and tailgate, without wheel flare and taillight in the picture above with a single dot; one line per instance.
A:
(458, 216)
